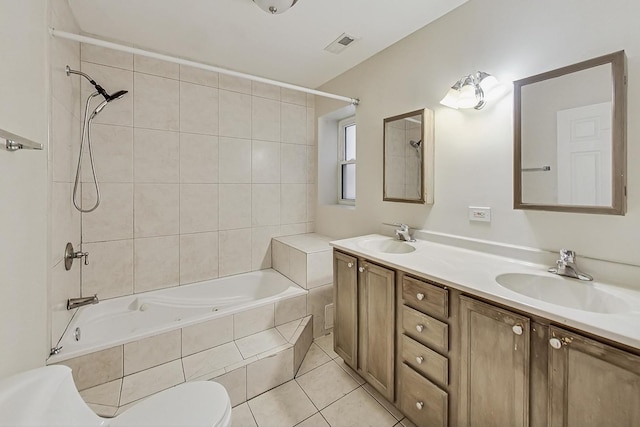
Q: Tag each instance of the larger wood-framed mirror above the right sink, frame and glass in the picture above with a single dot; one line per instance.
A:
(570, 138)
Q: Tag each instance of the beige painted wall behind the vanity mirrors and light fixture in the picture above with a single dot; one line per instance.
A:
(473, 149)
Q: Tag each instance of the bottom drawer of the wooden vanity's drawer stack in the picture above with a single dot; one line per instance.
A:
(421, 400)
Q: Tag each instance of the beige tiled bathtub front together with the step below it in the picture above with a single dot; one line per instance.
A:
(112, 380)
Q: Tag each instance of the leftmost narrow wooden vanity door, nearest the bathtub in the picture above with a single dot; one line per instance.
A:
(345, 302)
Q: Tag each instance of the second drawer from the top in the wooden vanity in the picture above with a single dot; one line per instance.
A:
(425, 329)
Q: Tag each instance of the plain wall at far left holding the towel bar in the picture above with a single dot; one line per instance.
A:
(23, 195)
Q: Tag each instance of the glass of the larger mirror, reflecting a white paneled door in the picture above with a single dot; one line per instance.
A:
(566, 139)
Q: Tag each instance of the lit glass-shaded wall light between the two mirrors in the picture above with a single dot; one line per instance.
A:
(473, 91)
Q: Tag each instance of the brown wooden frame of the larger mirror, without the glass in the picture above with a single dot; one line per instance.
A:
(618, 136)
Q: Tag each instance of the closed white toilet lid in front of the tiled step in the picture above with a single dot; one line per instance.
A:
(199, 403)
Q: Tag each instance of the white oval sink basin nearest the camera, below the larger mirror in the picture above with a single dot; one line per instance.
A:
(565, 292)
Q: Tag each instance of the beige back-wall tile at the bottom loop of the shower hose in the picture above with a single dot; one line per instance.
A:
(113, 219)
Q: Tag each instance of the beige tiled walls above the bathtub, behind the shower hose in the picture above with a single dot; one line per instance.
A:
(197, 172)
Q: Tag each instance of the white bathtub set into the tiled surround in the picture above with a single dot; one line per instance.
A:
(133, 317)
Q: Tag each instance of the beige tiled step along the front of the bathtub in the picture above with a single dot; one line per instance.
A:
(246, 367)
